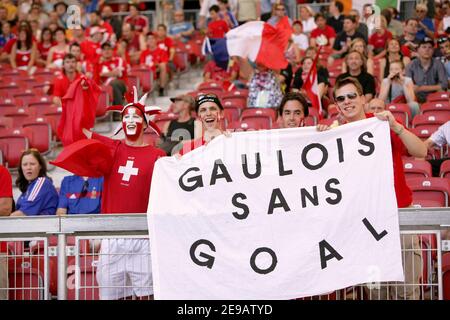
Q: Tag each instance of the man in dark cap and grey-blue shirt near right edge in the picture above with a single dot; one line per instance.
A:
(428, 74)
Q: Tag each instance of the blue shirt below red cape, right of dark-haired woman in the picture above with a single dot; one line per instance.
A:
(72, 199)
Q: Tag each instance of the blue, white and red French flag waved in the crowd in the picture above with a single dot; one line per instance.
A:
(256, 40)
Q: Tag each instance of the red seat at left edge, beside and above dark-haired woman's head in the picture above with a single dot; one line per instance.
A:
(12, 145)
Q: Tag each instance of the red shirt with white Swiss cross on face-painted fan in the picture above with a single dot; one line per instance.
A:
(126, 187)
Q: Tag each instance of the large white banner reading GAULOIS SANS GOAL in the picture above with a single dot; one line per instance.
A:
(277, 214)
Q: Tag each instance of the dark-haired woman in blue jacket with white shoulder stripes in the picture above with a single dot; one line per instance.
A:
(39, 196)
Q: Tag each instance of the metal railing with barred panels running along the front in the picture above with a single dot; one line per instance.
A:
(54, 240)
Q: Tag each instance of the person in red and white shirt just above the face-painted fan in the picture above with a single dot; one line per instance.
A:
(112, 70)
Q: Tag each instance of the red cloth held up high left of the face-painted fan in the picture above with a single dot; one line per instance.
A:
(78, 111)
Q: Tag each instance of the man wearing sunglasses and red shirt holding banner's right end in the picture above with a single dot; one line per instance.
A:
(350, 101)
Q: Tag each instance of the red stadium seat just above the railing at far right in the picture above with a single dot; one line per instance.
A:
(437, 189)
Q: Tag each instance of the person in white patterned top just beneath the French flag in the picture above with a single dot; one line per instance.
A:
(264, 89)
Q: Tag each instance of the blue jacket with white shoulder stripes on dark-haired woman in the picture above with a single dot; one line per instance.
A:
(40, 198)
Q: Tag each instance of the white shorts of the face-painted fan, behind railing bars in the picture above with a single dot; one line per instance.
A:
(124, 269)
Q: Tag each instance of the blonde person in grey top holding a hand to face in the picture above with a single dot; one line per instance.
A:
(396, 86)
